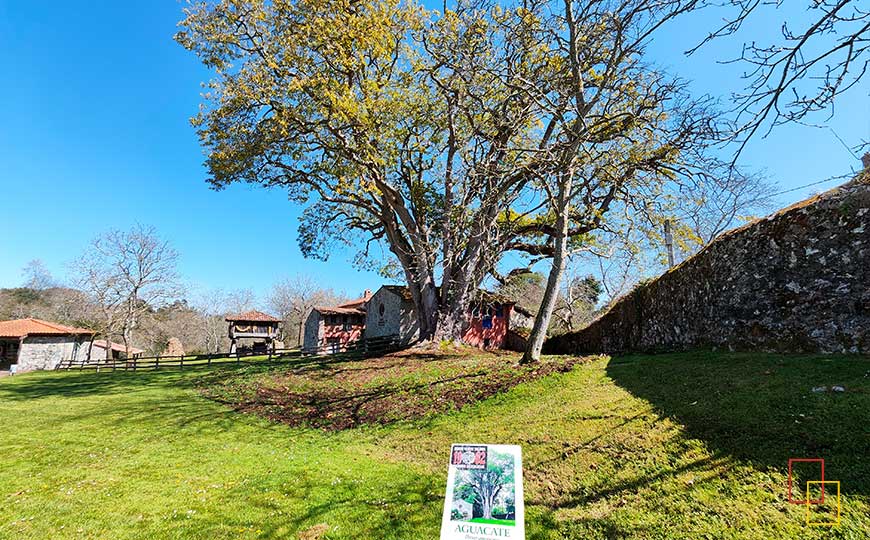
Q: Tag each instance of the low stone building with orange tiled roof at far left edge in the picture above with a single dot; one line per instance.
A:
(30, 344)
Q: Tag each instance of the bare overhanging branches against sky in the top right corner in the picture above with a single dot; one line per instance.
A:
(805, 69)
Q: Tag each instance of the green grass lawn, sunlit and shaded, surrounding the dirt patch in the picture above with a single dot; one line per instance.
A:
(673, 446)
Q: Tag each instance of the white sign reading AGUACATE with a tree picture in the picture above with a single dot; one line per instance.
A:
(484, 497)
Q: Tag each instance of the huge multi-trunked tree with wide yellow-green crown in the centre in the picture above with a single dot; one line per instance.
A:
(445, 137)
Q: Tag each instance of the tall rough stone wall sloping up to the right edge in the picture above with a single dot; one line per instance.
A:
(796, 281)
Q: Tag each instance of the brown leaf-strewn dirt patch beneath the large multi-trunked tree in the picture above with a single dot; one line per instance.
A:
(396, 387)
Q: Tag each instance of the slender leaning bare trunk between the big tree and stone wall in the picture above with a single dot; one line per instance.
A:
(551, 294)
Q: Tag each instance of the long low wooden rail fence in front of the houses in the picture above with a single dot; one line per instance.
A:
(364, 348)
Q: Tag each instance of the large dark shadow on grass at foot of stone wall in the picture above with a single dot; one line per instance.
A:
(762, 408)
